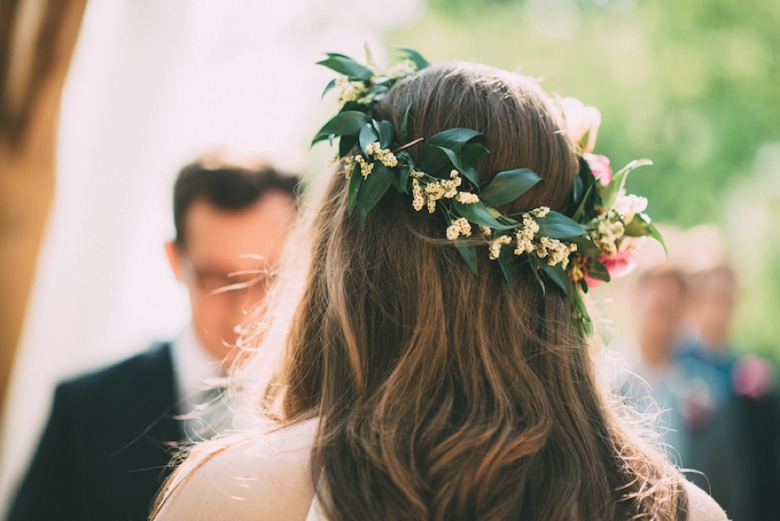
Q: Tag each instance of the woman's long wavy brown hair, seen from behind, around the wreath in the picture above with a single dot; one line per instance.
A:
(445, 395)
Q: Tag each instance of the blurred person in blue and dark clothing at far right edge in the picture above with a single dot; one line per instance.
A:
(743, 404)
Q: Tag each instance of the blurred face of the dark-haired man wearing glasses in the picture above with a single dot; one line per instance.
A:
(229, 248)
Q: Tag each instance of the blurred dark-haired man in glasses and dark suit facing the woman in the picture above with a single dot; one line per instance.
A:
(105, 449)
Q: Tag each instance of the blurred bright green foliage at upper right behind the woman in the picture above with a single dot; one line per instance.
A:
(693, 85)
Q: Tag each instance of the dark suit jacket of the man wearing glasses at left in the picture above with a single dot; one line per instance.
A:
(105, 450)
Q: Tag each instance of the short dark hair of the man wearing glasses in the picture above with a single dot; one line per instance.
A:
(228, 188)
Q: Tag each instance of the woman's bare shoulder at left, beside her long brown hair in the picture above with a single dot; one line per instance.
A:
(260, 478)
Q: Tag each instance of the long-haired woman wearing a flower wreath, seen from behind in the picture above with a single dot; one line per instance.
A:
(430, 350)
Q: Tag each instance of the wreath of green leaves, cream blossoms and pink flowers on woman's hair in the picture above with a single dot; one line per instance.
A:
(590, 241)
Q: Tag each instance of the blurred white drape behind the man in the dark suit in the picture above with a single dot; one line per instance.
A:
(154, 84)
